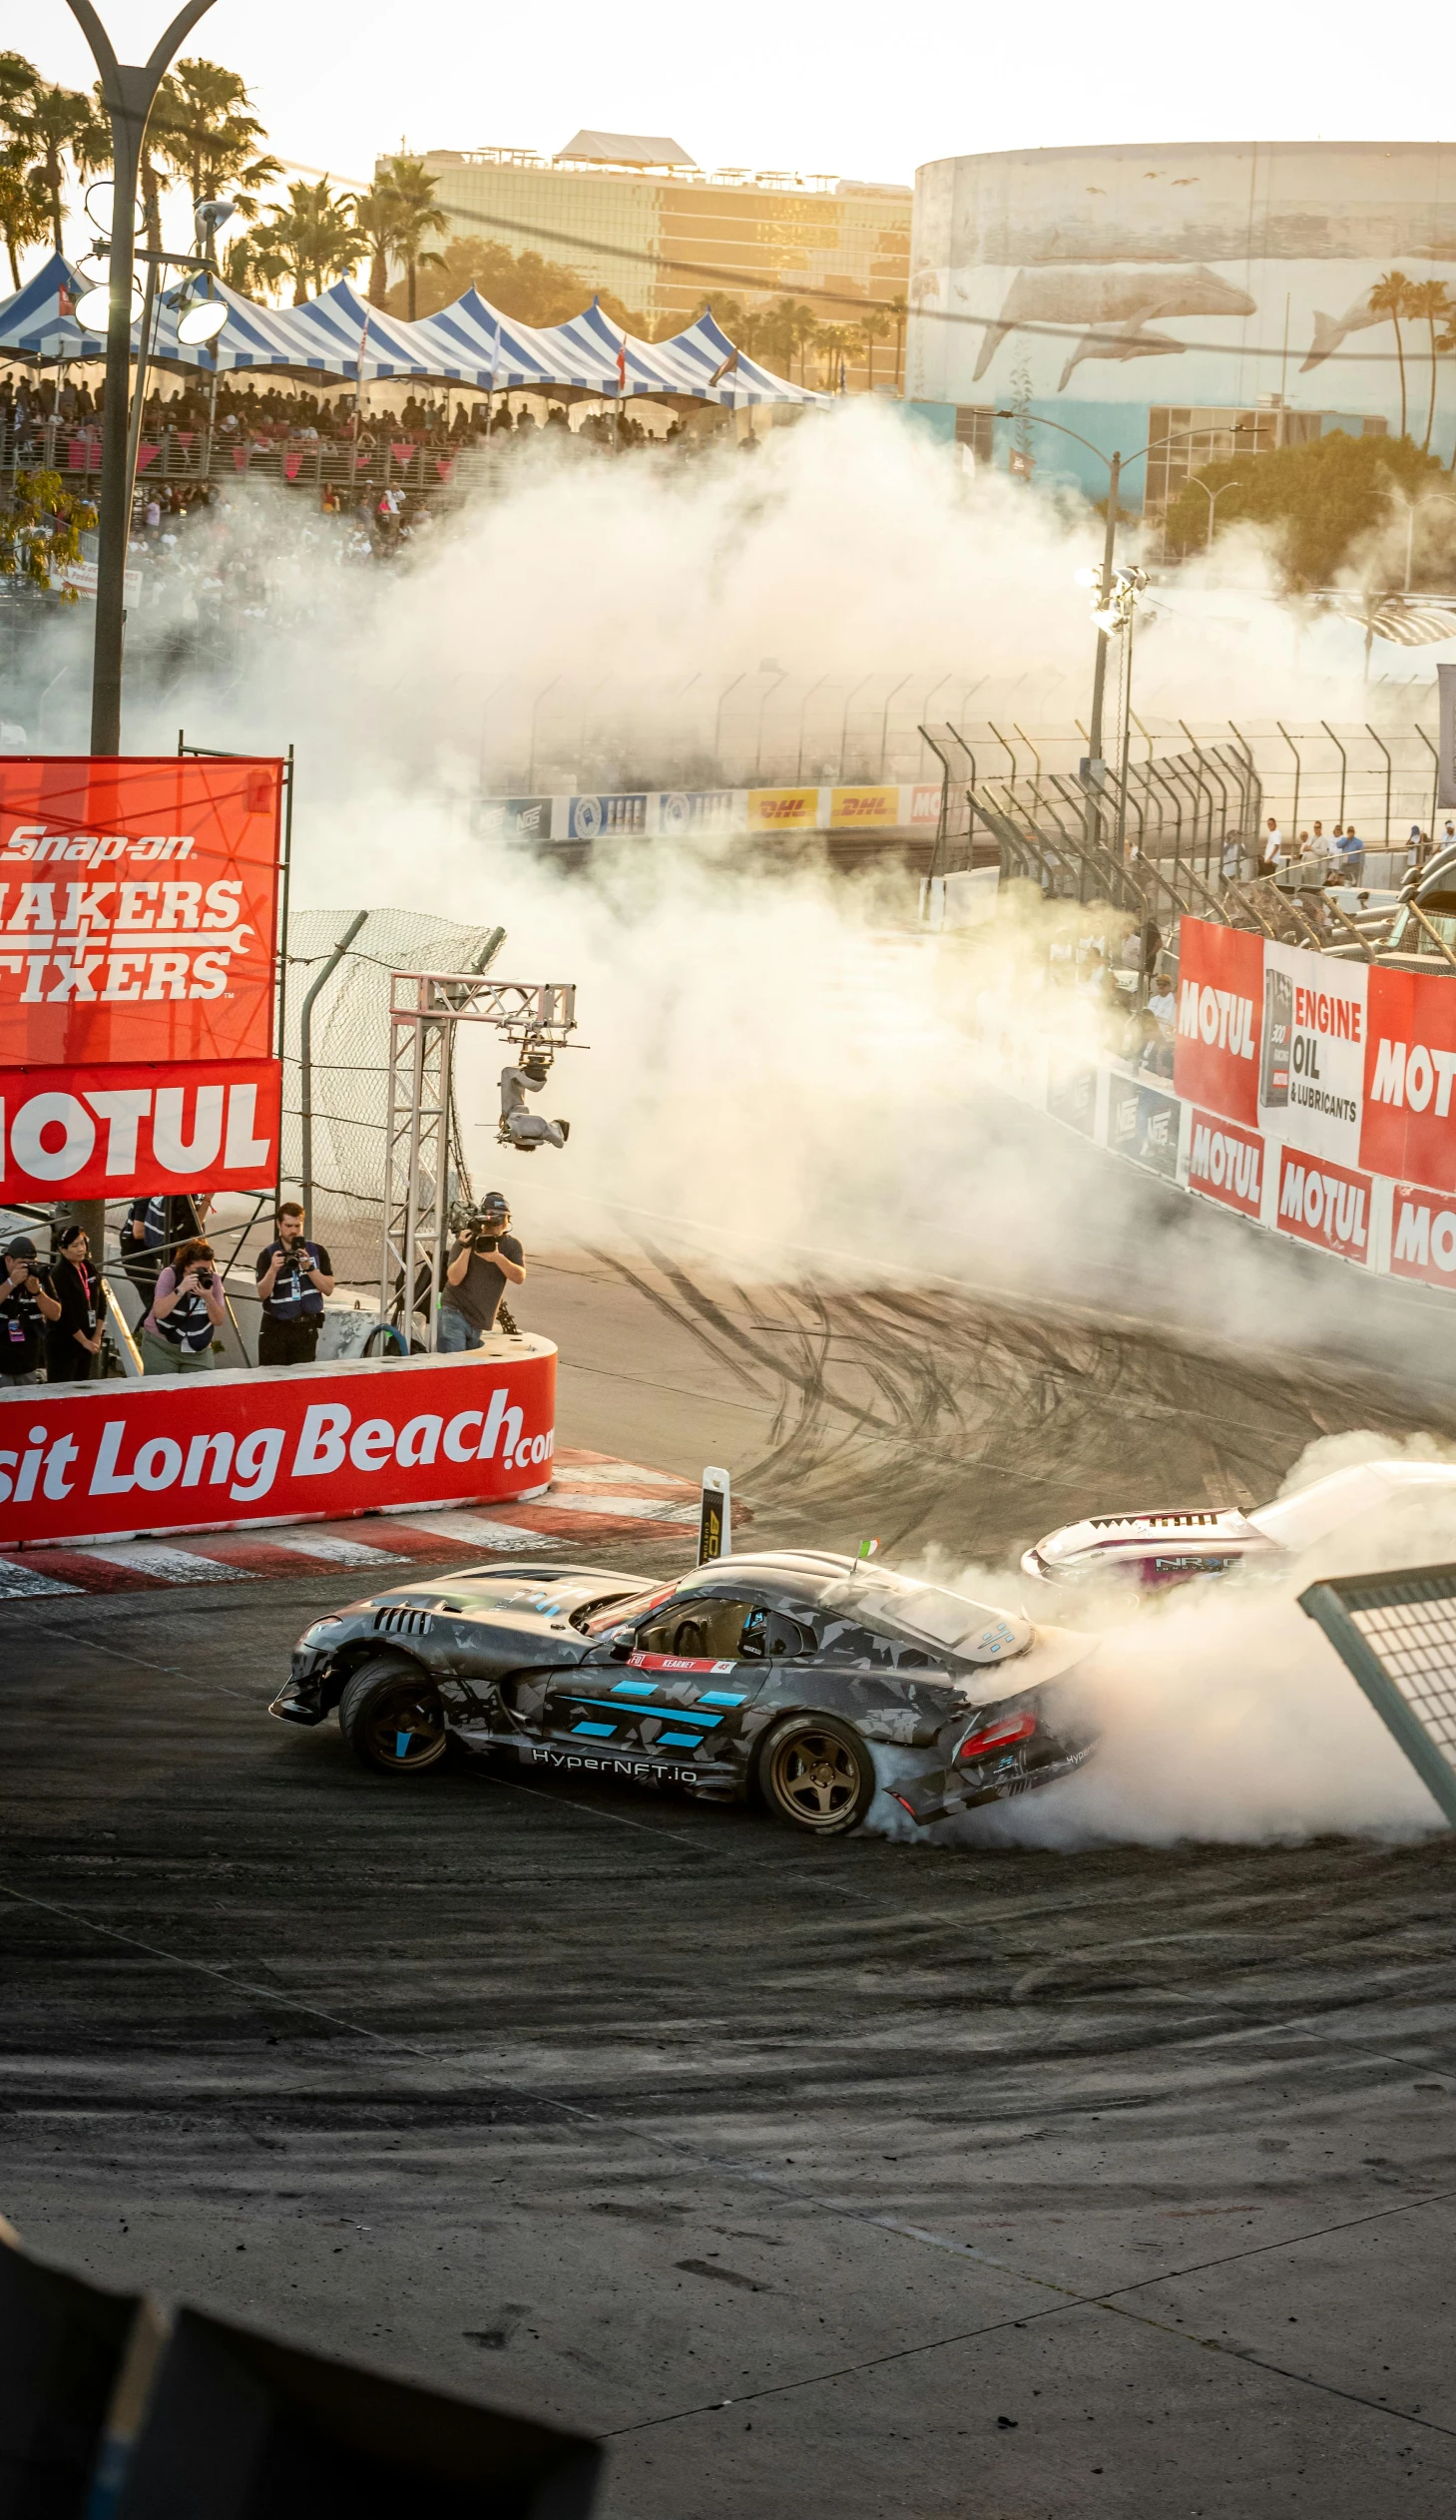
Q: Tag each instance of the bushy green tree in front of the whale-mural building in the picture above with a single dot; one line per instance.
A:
(1321, 503)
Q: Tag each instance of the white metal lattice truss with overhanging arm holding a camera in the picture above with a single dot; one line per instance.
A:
(427, 1007)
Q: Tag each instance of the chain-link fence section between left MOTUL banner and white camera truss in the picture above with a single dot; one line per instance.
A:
(336, 1102)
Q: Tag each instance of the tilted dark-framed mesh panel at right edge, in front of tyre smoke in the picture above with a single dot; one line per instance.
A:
(1397, 1634)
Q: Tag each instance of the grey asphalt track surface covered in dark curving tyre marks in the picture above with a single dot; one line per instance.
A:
(850, 2181)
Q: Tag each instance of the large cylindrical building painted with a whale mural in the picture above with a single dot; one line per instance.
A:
(1241, 294)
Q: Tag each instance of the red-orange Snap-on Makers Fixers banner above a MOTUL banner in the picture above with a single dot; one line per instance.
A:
(137, 908)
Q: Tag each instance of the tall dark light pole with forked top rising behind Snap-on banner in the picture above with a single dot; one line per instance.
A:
(130, 94)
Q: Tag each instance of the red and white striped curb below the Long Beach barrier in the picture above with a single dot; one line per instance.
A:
(593, 1503)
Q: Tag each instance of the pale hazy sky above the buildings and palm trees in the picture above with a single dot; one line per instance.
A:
(853, 92)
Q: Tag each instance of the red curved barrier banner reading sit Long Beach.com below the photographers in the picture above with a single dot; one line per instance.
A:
(276, 1445)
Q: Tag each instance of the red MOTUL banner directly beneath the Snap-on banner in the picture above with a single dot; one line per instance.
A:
(110, 1133)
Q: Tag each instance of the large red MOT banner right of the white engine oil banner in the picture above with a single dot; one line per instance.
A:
(1409, 1128)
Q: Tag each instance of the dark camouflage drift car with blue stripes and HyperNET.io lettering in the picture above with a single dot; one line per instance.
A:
(775, 1675)
